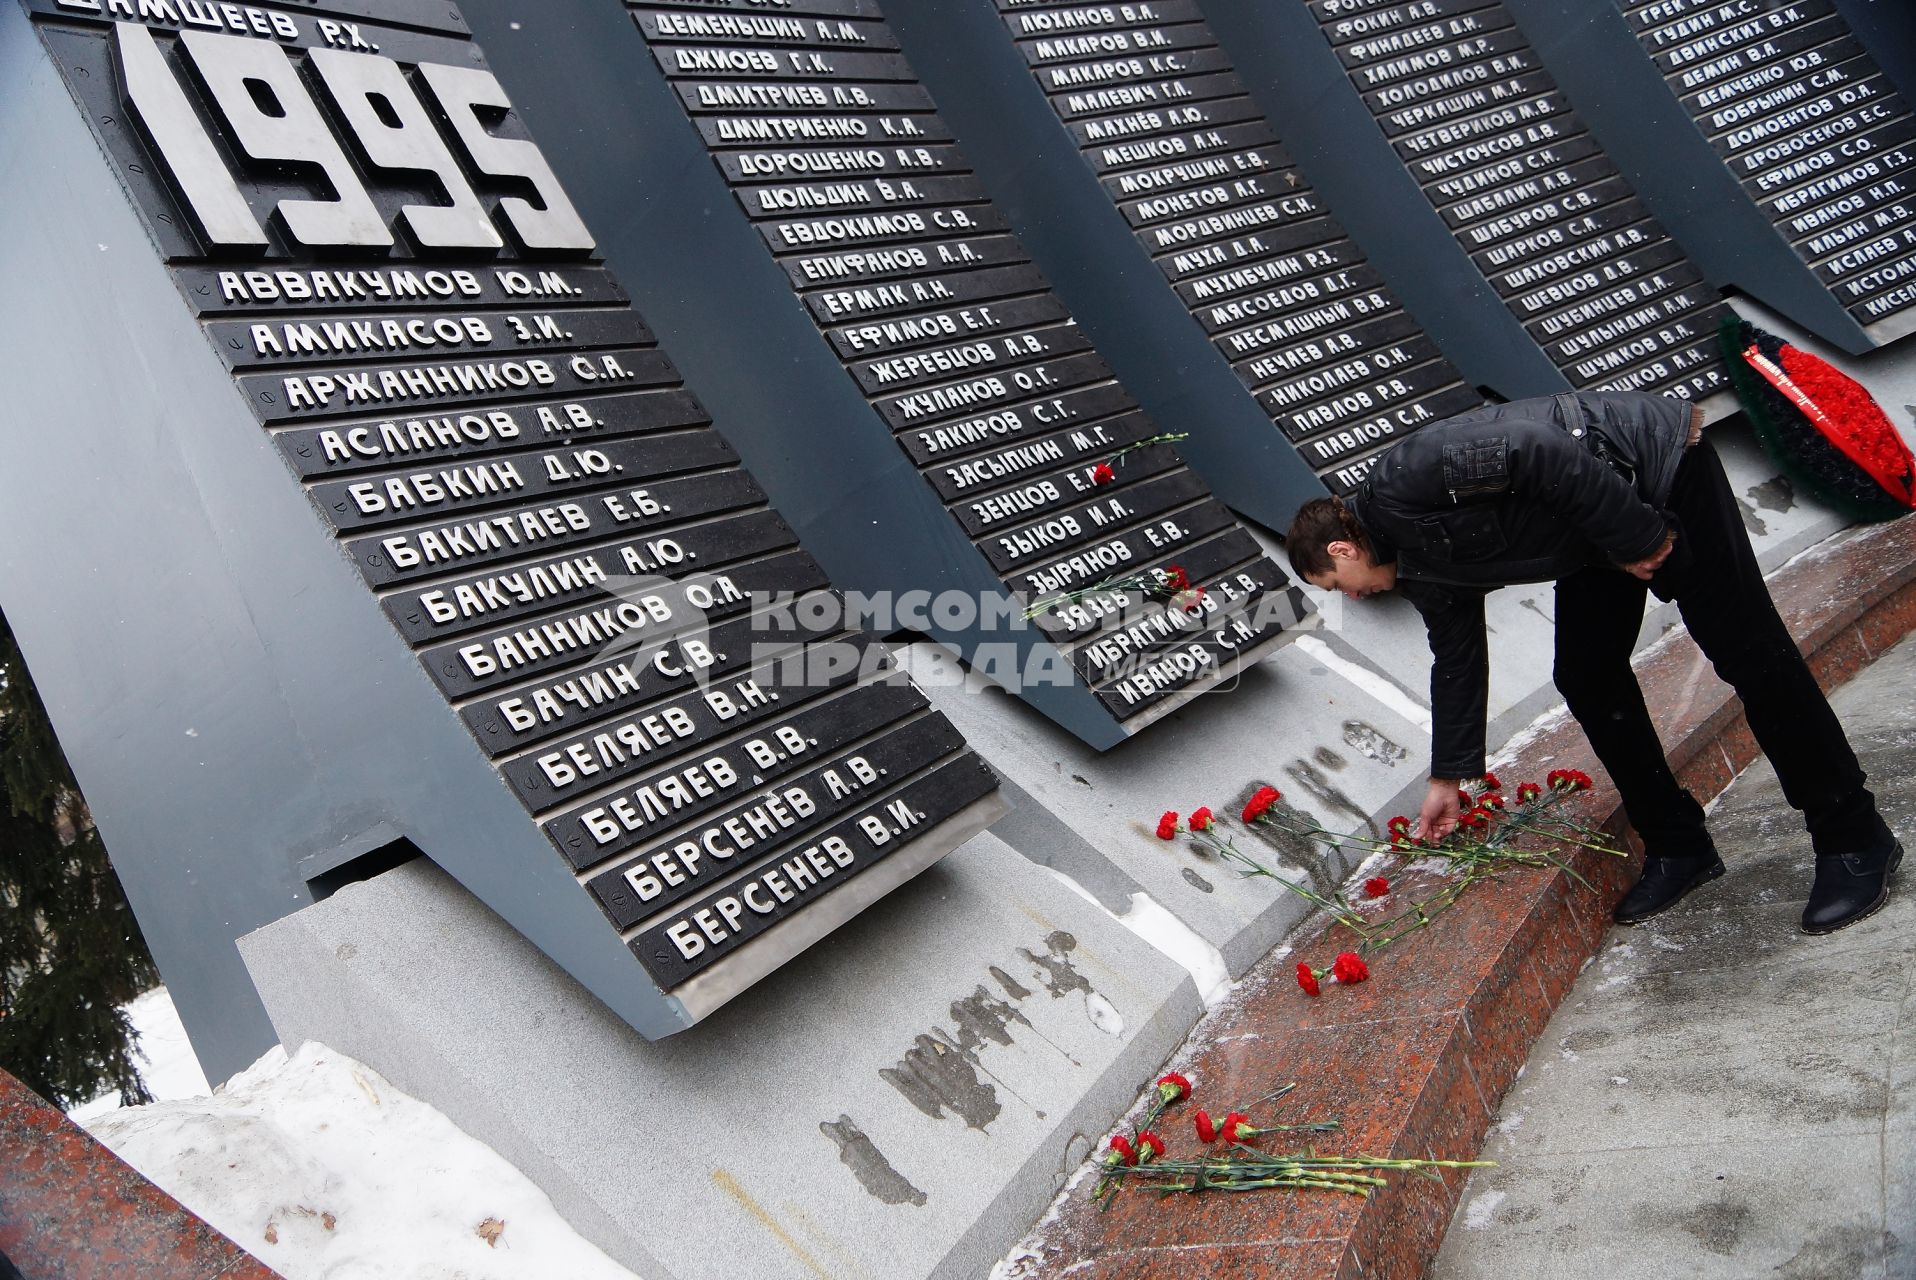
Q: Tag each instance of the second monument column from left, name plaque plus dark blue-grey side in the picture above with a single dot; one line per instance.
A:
(970, 440)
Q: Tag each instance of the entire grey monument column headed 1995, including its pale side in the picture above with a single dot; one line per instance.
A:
(392, 530)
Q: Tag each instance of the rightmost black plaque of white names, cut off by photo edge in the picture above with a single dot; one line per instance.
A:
(1812, 131)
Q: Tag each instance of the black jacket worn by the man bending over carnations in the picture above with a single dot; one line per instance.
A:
(1515, 493)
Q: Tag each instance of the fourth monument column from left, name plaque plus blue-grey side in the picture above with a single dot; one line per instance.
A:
(1463, 170)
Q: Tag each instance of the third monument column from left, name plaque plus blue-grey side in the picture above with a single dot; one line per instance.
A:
(1151, 185)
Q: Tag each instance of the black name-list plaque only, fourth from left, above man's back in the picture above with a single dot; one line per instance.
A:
(1511, 170)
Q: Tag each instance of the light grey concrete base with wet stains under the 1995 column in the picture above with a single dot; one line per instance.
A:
(901, 1101)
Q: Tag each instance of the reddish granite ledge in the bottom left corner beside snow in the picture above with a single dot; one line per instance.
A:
(72, 1210)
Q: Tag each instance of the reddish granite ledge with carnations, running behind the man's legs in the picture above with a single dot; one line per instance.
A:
(1417, 1061)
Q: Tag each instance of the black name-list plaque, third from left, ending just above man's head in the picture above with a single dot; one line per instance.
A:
(1220, 204)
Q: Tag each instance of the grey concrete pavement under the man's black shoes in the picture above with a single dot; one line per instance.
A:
(1720, 1095)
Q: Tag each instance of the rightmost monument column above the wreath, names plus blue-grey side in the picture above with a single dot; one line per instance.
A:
(1769, 139)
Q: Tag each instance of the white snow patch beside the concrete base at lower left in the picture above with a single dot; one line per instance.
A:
(325, 1172)
